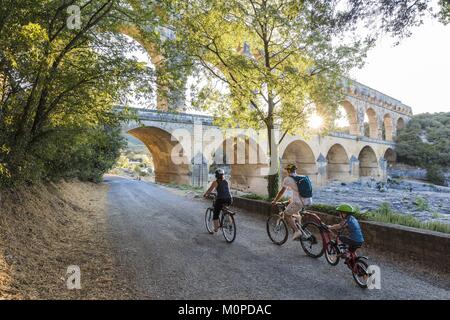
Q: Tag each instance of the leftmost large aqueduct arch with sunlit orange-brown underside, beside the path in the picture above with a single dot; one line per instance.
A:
(161, 145)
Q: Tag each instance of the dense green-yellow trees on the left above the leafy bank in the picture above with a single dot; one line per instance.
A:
(58, 89)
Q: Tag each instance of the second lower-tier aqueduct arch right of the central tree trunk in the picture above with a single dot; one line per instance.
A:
(338, 167)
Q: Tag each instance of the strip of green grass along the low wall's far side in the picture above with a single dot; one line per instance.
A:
(386, 215)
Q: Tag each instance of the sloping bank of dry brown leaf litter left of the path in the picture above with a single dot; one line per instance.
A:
(45, 229)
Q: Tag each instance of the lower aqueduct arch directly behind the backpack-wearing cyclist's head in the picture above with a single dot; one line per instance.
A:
(301, 154)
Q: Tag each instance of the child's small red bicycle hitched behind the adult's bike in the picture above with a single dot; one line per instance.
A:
(334, 251)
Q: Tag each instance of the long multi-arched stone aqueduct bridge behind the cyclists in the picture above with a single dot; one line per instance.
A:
(338, 156)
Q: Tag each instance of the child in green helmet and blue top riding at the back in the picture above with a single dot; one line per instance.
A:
(355, 238)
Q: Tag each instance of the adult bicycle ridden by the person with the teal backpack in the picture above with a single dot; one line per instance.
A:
(277, 229)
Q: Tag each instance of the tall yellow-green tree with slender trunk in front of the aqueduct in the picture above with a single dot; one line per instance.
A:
(279, 61)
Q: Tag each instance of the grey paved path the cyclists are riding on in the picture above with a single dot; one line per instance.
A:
(163, 248)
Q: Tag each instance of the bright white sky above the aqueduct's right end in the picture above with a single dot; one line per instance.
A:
(416, 72)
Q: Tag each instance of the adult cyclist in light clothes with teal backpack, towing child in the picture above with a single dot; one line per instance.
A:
(296, 202)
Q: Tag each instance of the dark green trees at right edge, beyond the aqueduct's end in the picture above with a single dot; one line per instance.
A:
(425, 142)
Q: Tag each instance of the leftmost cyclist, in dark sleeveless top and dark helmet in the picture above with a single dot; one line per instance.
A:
(223, 198)
